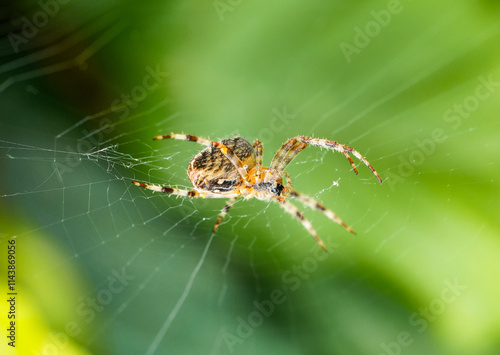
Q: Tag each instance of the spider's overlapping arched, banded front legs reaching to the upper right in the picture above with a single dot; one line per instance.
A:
(286, 153)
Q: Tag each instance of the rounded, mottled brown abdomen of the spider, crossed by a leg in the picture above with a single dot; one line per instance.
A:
(210, 170)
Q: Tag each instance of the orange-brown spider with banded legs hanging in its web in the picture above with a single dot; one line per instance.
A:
(233, 167)
